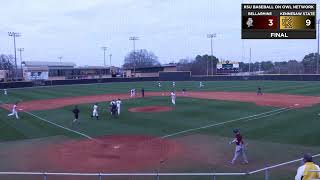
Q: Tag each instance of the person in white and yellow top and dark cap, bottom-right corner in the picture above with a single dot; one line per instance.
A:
(304, 173)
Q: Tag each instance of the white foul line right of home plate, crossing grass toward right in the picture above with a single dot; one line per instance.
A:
(226, 122)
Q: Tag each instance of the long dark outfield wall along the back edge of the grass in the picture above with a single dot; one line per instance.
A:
(163, 78)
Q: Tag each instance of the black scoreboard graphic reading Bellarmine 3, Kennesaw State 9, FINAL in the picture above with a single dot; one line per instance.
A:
(279, 21)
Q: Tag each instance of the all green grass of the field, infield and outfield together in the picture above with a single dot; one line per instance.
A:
(290, 131)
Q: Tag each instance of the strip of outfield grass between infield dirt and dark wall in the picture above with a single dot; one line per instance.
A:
(284, 87)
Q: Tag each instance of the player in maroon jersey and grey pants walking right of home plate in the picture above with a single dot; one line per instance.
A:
(240, 147)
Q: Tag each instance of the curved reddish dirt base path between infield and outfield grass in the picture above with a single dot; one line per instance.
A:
(275, 100)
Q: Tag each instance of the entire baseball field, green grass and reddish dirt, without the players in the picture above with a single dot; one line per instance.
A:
(152, 135)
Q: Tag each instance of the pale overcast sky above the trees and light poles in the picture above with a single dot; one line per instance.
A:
(172, 29)
